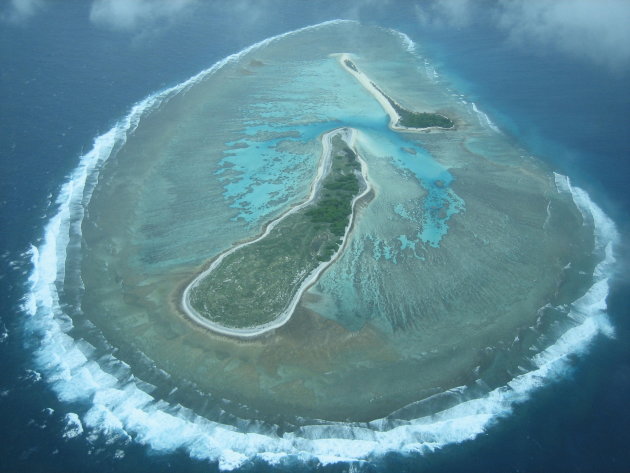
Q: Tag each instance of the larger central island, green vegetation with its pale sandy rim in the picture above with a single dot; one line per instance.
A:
(254, 287)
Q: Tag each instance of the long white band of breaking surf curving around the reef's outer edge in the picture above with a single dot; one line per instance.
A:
(118, 408)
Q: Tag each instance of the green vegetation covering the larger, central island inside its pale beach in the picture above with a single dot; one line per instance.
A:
(256, 283)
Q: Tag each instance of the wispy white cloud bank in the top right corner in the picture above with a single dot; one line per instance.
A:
(594, 30)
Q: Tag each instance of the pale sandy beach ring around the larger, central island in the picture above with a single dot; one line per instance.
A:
(349, 136)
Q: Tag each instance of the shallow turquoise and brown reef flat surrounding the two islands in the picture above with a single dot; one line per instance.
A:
(465, 244)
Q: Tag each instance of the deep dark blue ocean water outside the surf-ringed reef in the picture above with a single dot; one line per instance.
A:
(64, 81)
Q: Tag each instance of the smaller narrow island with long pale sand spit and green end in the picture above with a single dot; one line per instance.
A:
(401, 119)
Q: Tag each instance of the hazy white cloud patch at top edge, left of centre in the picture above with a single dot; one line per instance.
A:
(133, 15)
